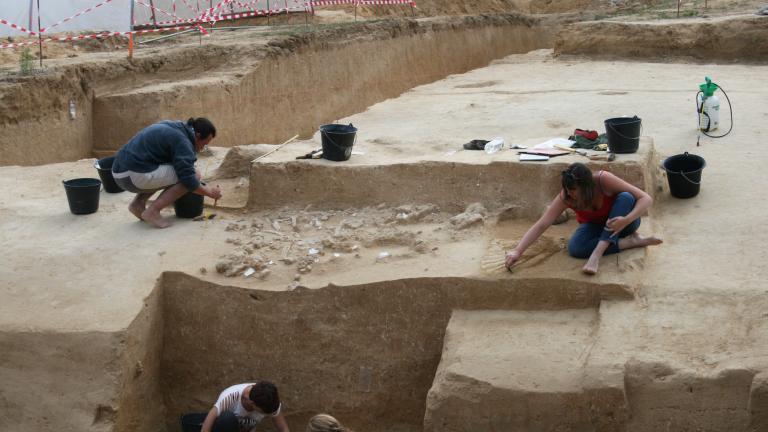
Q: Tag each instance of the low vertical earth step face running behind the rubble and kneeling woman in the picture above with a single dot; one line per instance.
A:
(527, 188)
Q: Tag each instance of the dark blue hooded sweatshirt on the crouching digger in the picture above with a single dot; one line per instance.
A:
(163, 143)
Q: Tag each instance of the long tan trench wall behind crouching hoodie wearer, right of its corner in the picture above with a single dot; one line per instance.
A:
(319, 80)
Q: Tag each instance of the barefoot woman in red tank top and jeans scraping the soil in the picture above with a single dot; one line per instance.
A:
(608, 211)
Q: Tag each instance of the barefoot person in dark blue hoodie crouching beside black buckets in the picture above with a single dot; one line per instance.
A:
(162, 156)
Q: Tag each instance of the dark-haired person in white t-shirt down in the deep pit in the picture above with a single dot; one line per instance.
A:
(241, 407)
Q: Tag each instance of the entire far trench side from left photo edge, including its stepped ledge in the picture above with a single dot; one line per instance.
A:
(297, 82)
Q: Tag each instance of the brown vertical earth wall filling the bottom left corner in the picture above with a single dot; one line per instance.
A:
(49, 384)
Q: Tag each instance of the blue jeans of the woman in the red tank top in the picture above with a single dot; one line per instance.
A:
(587, 235)
